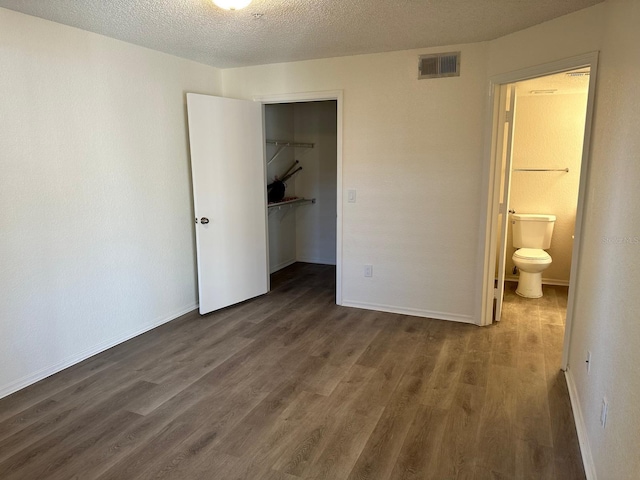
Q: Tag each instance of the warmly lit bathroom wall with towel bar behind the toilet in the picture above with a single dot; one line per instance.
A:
(549, 131)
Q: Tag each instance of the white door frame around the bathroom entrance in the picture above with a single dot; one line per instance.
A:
(491, 181)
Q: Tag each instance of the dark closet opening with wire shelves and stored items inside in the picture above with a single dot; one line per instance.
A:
(301, 155)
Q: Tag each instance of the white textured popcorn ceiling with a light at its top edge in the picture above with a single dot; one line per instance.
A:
(292, 30)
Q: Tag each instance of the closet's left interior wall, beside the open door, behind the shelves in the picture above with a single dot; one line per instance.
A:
(279, 125)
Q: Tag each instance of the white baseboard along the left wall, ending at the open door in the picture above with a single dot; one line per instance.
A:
(89, 352)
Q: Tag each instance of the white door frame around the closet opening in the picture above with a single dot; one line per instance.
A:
(337, 96)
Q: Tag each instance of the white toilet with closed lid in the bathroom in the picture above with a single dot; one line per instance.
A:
(531, 235)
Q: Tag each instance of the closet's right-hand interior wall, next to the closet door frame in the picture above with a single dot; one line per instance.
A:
(316, 122)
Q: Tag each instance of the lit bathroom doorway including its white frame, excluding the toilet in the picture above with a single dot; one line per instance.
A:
(542, 120)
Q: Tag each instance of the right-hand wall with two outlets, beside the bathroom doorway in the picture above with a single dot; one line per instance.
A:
(607, 318)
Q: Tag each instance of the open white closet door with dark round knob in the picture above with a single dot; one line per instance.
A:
(229, 197)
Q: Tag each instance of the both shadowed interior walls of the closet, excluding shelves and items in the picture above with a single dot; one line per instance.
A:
(305, 233)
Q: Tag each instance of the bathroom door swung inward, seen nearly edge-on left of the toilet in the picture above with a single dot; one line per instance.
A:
(505, 187)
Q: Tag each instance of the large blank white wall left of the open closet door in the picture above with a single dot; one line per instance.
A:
(96, 220)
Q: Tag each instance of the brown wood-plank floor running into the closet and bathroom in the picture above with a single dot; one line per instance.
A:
(290, 386)
